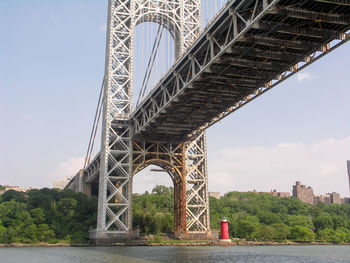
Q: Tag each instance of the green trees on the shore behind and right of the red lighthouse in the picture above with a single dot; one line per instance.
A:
(267, 217)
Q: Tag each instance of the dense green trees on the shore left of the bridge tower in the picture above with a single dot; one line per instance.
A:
(45, 215)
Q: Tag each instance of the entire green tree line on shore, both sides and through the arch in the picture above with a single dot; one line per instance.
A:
(52, 215)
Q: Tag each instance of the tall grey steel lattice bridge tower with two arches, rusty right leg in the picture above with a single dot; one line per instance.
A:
(121, 155)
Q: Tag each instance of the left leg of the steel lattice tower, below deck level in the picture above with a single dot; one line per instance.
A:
(114, 220)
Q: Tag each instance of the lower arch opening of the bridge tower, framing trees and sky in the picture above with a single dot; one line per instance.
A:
(153, 199)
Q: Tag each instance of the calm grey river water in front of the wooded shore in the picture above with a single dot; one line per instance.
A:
(261, 254)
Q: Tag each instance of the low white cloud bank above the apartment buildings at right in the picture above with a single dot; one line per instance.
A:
(321, 165)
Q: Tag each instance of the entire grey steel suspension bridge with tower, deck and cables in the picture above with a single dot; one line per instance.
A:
(246, 49)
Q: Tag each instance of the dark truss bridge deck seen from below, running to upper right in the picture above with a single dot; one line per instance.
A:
(248, 49)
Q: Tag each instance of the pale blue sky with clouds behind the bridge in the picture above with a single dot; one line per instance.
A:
(51, 69)
